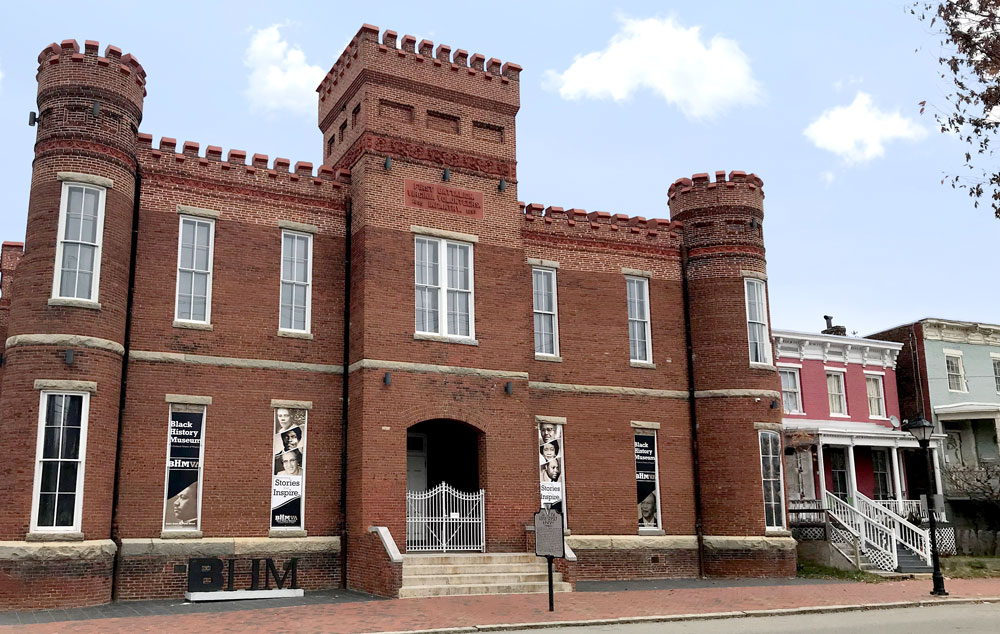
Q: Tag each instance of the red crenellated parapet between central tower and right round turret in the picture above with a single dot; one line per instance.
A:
(601, 225)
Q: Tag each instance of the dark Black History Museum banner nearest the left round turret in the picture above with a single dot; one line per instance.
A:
(181, 509)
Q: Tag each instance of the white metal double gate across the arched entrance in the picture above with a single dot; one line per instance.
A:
(445, 519)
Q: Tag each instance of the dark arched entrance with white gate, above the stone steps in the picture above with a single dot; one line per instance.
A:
(444, 501)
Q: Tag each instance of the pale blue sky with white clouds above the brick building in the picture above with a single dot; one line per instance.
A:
(617, 102)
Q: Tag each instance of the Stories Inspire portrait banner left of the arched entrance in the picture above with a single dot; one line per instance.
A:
(289, 467)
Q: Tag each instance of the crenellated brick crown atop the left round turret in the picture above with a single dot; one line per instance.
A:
(58, 64)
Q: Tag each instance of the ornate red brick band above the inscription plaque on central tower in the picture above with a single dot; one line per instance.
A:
(427, 154)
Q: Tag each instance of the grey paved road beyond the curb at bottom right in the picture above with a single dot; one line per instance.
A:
(971, 618)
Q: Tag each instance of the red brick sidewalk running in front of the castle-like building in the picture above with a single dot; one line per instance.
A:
(423, 614)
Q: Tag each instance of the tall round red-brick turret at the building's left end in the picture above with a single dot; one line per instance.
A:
(89, 109)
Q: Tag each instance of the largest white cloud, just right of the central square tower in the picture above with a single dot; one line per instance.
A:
(702, 78)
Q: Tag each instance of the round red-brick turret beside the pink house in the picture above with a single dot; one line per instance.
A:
(736, 396)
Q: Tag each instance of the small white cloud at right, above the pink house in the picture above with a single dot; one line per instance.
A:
(858, 133)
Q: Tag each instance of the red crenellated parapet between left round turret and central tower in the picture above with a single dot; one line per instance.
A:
(280, 169)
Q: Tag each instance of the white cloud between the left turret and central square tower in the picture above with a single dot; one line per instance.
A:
(280, 78)
